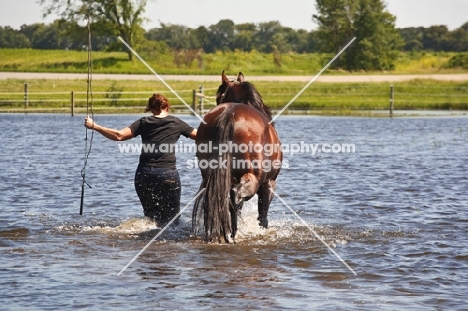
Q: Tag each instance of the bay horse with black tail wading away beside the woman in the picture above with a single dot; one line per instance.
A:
(239, 155)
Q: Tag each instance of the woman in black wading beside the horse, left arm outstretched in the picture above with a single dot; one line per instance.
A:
(157, 180)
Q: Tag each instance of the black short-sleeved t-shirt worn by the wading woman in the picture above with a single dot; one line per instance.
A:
(159, 137)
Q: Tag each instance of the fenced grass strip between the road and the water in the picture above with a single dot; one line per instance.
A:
(130, 96)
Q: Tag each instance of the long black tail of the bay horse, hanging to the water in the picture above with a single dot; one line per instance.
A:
(214, 203)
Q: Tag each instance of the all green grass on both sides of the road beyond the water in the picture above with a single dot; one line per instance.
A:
(332, 98)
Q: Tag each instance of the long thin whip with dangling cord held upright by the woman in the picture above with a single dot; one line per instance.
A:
(89, 109)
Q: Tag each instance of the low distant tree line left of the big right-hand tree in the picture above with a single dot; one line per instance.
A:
(223, 36)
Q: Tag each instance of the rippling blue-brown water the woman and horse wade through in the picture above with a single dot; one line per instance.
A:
(395, 211)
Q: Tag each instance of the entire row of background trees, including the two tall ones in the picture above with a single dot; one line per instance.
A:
(376, 46)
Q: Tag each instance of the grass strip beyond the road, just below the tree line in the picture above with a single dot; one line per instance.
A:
(254, 63)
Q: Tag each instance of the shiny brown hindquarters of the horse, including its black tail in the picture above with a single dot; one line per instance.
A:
(234, 164)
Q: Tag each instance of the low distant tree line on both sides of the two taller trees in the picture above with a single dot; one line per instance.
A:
(223, 36)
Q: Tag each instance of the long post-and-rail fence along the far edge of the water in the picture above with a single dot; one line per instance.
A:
(354, 97)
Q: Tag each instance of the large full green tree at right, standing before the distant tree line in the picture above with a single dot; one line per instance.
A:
(377, 40)
